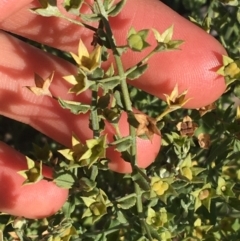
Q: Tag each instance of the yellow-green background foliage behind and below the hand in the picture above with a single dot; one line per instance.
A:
(191, 192)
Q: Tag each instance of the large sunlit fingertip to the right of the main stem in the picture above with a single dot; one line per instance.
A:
(193, 67)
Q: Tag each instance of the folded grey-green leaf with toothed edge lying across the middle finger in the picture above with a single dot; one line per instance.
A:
(74, 107)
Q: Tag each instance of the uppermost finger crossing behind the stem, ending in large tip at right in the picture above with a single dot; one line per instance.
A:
(193, 67)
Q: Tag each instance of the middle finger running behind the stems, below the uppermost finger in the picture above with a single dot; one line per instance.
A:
(44, 113)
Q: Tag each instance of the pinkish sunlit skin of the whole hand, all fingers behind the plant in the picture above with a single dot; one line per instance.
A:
(193, 68)
